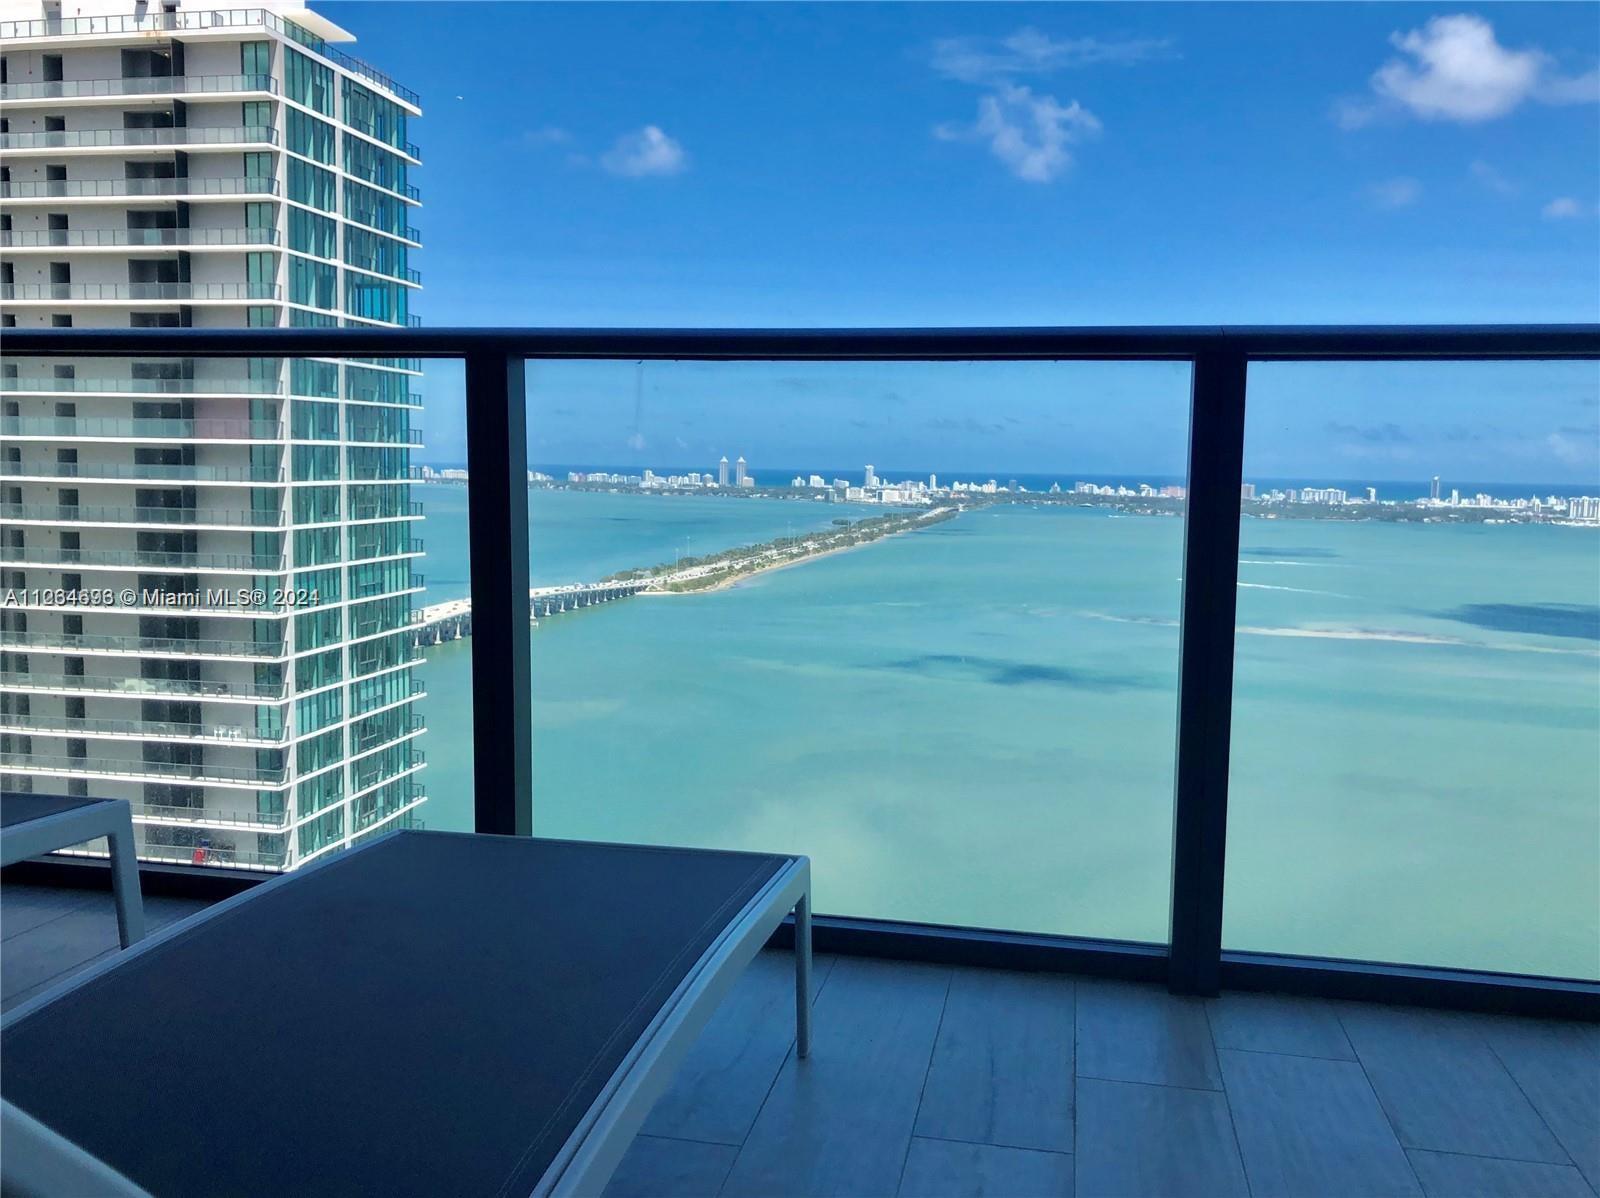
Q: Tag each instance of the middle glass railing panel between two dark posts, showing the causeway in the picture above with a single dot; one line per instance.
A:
(950, 677)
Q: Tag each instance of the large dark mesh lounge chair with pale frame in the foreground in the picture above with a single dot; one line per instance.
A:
(430, 1013)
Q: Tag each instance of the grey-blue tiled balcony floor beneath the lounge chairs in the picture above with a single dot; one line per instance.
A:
(929, 1080)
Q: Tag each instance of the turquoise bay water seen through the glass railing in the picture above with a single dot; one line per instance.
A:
(975, 724)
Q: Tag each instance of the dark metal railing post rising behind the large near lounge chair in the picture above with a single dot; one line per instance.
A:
(502, 623)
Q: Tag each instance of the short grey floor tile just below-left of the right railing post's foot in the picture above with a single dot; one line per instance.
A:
(1143, 1034)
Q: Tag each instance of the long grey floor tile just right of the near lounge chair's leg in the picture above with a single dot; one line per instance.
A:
(841, 1122)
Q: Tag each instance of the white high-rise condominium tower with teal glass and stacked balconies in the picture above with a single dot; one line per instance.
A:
(207, 565)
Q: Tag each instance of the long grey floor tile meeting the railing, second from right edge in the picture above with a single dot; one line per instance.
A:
(1444, 1088)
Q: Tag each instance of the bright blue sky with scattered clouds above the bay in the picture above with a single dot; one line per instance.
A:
(1023, 166)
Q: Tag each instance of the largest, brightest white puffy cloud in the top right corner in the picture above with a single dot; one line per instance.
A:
(1455, 70)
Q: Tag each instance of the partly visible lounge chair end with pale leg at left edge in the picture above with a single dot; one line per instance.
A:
(36, 825)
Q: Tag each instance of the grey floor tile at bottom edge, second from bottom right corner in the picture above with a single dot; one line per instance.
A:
(1311, 1128)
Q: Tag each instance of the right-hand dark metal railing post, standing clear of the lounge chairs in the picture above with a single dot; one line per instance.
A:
(1206, 684)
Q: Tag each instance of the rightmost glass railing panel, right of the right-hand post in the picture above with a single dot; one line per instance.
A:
(1417, 700)
